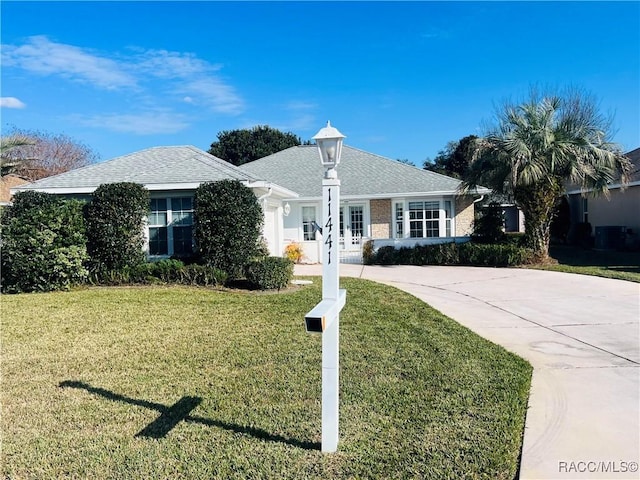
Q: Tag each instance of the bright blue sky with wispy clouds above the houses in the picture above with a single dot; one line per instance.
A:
(399, 79)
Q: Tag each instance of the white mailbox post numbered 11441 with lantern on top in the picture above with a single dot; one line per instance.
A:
(324, 318)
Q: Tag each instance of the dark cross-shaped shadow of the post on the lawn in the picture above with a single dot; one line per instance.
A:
(180, 411)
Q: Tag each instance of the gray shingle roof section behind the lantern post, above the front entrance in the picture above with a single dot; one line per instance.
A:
(361, 174)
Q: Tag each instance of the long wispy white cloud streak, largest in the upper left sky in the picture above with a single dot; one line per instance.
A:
(157, 74)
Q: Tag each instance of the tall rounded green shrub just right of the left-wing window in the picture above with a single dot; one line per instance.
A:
(228, 221)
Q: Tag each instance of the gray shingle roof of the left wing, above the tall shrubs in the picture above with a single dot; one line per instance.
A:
(153, 166)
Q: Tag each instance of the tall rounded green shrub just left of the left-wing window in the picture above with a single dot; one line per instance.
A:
(115, 219)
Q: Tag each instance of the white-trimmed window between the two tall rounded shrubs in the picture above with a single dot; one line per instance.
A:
(170, 225)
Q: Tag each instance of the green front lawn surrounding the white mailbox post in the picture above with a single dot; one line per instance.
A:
(177, 382)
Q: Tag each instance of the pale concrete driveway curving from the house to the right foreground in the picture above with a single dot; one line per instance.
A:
(582, 336)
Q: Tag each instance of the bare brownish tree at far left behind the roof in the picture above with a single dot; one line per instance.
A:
(34, 155)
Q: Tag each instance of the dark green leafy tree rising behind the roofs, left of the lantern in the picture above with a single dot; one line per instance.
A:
(245, 145)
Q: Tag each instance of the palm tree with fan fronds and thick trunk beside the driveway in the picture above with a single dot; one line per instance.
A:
(540, 146)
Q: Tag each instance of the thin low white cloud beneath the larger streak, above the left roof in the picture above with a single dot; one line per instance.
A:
(147, 123)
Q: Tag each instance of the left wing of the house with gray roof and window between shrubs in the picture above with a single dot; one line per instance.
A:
(171, 174)
